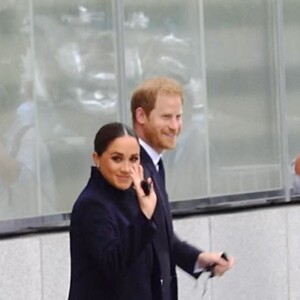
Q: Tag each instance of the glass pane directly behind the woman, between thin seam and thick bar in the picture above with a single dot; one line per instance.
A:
(76, 90)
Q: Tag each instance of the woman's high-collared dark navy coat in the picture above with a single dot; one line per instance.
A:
(112, 256)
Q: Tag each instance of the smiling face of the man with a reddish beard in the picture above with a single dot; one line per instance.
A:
(164, 123)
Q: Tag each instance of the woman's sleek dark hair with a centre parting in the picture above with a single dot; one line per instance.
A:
(108, 133)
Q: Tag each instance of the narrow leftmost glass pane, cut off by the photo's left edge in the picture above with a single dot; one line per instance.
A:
(18, 133)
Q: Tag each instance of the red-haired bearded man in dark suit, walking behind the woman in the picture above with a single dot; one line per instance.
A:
(156, 107)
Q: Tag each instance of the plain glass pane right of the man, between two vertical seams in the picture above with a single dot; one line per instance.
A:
(241, 96)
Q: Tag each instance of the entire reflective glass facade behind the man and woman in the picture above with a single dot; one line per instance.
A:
(67, 67)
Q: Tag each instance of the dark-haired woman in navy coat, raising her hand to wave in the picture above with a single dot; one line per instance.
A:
(111, 230)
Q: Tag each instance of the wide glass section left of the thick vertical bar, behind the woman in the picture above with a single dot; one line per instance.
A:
(59, 87)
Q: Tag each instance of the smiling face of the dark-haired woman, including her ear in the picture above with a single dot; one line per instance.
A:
(117, 160)
